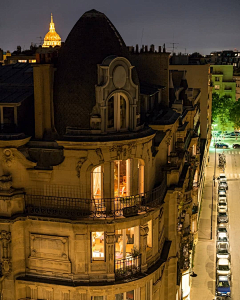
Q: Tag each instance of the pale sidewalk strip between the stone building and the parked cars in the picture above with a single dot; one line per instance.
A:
(203, 286)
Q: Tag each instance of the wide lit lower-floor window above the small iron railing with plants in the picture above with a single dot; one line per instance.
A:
(127, 242)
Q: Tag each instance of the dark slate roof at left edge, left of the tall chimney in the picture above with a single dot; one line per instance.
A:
(16, 83)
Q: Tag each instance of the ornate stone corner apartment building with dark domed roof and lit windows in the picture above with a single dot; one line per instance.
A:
(101, 162)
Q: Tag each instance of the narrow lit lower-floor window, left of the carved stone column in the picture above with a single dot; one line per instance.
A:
(98, 245)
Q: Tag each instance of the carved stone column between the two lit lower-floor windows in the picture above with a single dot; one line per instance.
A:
(110, 259)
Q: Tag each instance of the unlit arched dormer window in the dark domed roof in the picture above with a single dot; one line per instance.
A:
(118, 112)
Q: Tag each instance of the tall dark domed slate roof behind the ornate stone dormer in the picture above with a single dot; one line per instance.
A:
(92, 39)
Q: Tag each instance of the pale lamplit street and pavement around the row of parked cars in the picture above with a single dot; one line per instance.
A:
(203, 286)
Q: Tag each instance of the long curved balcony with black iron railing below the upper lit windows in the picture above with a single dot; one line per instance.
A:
(77, 208)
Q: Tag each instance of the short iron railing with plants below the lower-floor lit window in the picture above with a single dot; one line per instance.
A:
(127, 267)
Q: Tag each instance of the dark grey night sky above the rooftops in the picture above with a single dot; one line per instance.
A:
(201, 26)
